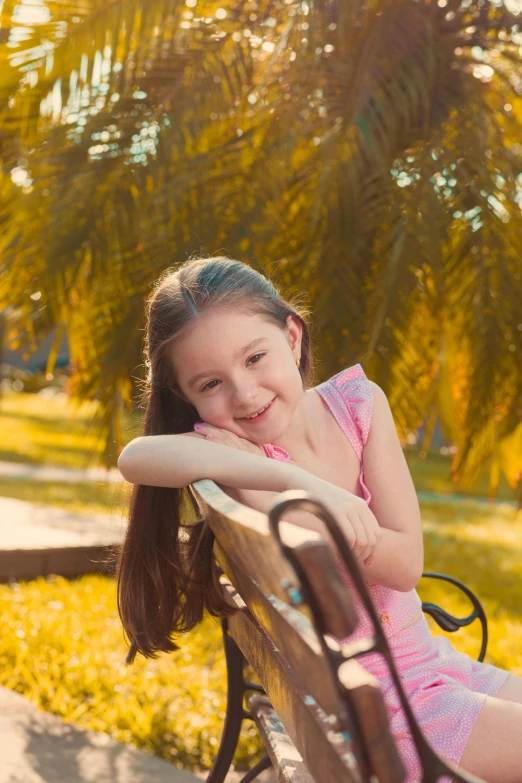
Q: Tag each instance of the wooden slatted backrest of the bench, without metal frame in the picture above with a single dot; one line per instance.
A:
(335, 716)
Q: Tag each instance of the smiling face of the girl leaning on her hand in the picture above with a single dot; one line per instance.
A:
(231, 365)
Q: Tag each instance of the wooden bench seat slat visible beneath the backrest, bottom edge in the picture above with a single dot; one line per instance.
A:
(286, 759)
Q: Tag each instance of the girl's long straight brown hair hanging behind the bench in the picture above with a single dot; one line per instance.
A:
(166, 572)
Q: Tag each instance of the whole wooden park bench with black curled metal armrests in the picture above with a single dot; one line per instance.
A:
(321, 716)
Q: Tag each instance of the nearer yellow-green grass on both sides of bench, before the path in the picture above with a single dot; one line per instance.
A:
(62, 646)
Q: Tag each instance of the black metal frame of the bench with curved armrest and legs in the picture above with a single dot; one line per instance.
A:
(238, 686)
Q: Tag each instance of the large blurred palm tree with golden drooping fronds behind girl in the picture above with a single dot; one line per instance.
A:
(368, 151)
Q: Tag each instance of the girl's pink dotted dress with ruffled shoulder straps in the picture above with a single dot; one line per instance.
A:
(446, 689)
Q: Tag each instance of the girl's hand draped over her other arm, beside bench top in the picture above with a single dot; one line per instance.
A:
(357, 522)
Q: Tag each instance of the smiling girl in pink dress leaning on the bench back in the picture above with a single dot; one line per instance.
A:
(230, 367)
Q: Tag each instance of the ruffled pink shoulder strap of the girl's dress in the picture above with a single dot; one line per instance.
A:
(349, 394)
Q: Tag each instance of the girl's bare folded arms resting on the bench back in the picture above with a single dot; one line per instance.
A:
(180, 460)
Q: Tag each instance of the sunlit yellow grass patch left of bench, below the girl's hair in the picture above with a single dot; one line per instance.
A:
(62, 647)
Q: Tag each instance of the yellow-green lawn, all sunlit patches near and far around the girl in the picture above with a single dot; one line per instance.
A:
(62, 646)
